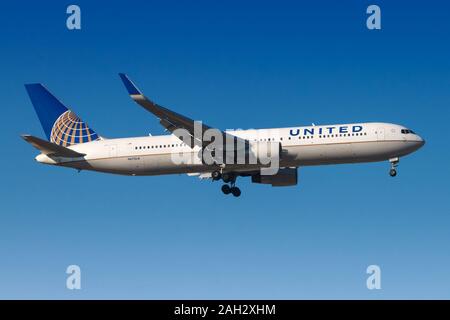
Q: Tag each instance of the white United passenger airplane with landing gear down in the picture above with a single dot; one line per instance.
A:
(72, 143)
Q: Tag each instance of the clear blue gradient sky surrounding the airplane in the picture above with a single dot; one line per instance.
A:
(232, 64)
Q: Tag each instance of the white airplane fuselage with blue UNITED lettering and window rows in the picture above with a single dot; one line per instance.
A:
(301, 146)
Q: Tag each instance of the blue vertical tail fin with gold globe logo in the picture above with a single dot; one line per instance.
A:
(61, 125)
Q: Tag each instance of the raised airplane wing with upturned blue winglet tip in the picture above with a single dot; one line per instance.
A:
(173, 121)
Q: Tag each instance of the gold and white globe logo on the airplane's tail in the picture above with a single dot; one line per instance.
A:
(69, 129)
